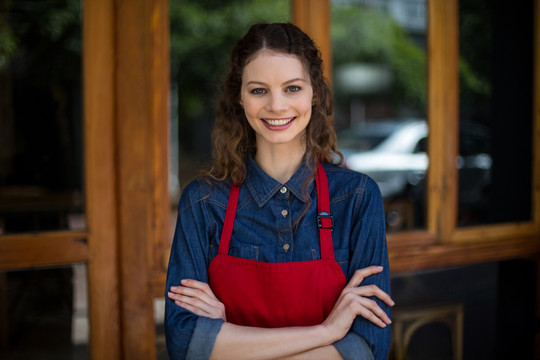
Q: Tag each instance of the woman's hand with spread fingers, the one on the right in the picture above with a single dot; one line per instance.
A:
(354, 300)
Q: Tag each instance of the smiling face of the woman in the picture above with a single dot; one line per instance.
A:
(277, 96)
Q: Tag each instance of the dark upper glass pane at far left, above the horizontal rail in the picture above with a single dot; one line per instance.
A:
(40, 116)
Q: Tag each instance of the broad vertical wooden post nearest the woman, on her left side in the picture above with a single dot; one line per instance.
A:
(141, 126)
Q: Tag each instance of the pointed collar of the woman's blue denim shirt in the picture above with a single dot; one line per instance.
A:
(262, 187)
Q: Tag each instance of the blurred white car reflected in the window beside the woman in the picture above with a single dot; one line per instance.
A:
(392, 153)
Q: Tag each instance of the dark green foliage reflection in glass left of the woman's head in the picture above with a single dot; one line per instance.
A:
(202, 35)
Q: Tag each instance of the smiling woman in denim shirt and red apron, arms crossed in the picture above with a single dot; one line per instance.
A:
(267, 263)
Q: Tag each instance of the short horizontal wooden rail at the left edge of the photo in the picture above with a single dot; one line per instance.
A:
(43, 249)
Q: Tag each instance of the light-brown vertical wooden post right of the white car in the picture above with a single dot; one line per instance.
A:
(443, 53)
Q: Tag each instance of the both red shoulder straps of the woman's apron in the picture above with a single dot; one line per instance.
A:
(324, 219)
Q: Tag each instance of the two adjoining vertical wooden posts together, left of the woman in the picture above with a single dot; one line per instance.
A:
(126, 88)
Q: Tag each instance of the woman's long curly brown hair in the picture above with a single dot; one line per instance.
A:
(232, 136)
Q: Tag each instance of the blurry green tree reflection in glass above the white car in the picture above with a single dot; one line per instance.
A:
(364, 35)
